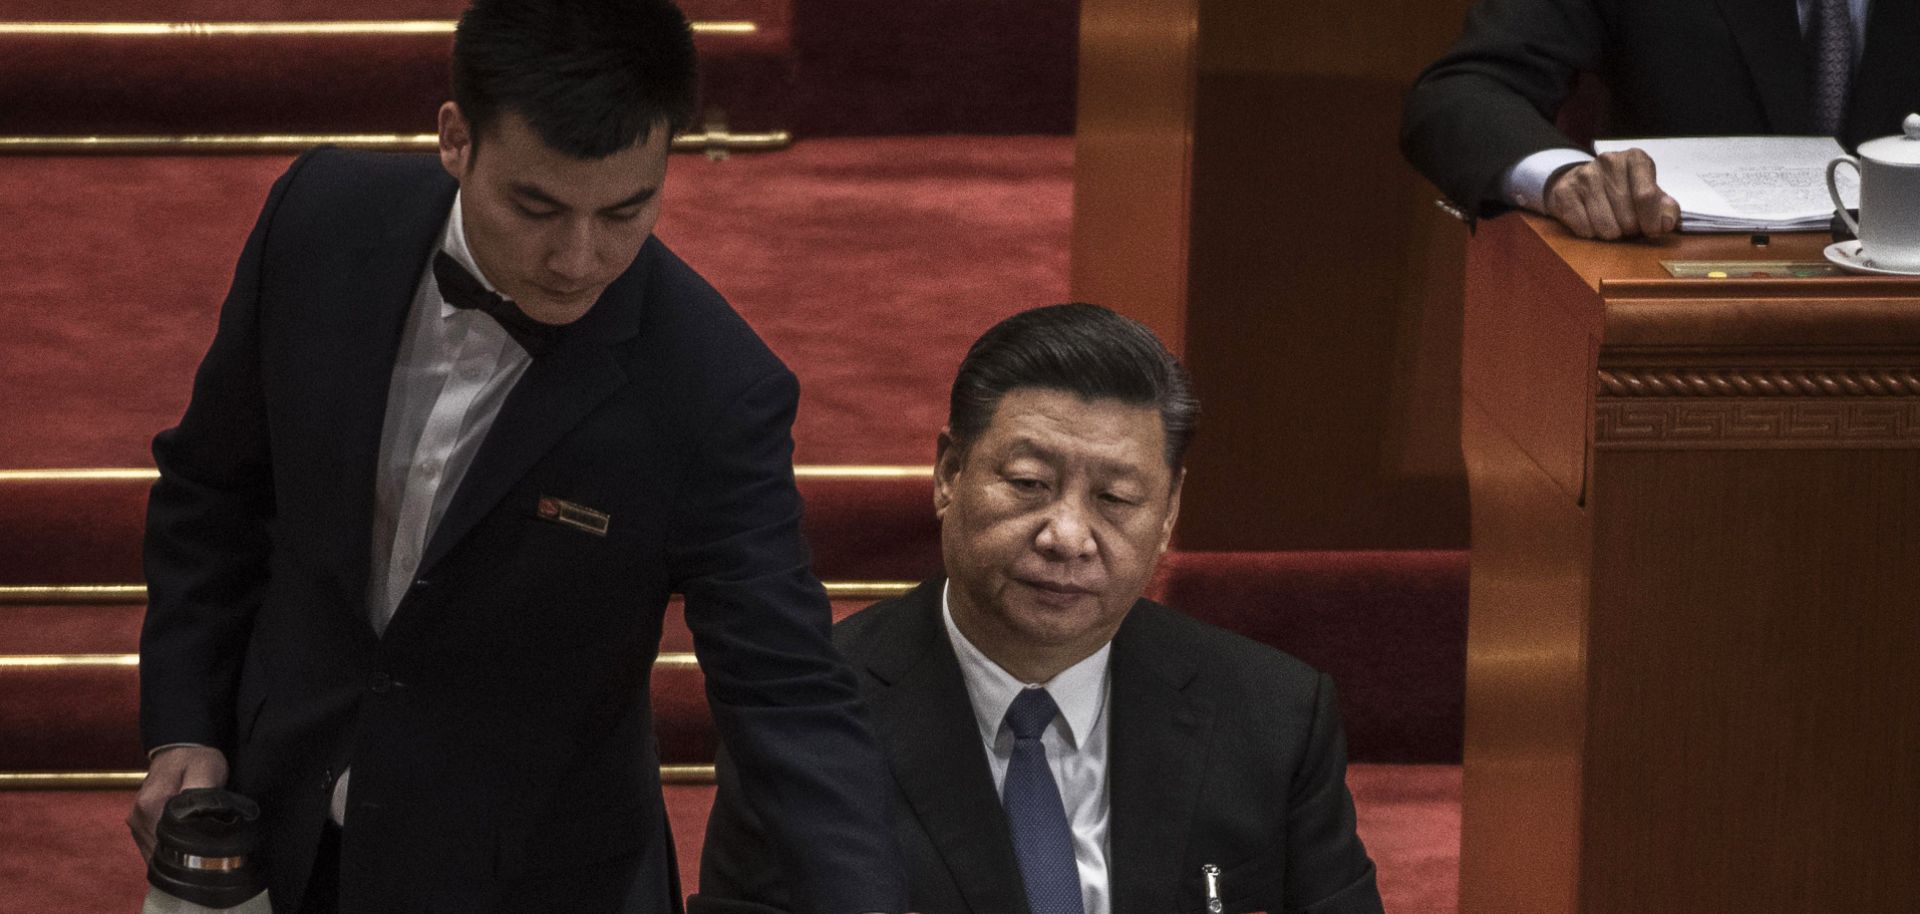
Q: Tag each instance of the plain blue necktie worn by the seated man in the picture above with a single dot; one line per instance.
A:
(1040, 821)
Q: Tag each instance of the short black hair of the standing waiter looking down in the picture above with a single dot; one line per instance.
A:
(590, 76)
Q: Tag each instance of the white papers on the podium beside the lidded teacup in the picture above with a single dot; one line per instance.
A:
(1748, 183)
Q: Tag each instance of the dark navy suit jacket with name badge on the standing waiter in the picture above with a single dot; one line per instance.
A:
(500, 731)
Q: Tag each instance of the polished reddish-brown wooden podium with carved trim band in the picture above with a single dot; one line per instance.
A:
(1696, 581)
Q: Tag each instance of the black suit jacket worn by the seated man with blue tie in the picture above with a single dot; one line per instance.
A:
(1220, 752)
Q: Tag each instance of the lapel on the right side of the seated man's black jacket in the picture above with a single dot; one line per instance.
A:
(1157, 756)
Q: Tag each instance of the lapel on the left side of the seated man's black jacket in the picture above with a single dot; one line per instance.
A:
(926, 723)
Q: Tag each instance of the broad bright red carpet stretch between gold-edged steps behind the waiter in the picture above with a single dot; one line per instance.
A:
(112, 272)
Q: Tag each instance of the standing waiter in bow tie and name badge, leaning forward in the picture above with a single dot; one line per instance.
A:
(462, 433)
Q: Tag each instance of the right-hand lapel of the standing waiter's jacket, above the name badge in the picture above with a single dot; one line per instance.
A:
(558, 391)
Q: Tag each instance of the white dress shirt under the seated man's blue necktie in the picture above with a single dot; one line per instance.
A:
(1076, 746)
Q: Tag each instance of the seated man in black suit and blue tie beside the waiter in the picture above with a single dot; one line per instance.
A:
(1061, 746)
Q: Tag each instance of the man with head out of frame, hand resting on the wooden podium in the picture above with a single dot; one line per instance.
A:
(1479, 122)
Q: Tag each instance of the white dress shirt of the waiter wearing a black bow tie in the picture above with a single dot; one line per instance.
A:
(454, 372)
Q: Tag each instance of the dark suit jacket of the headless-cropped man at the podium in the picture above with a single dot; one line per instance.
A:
(1673, 68)
